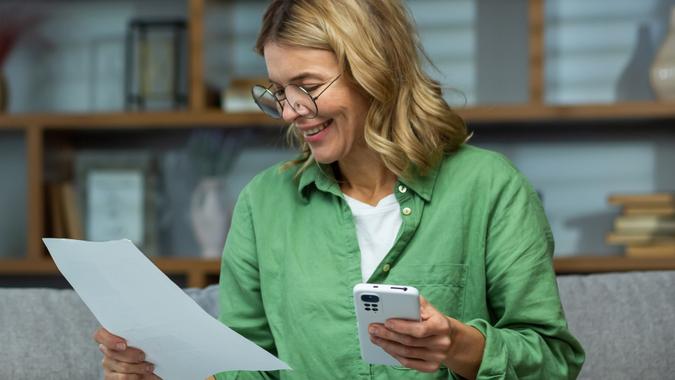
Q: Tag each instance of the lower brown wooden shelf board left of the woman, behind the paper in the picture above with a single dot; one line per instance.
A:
(195, 269)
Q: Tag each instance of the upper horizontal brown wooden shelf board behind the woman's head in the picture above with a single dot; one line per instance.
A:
(215, 118)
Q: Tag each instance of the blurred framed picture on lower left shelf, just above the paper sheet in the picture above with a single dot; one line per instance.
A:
(117, 193)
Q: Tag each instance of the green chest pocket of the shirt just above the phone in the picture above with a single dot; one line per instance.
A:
(441, 284)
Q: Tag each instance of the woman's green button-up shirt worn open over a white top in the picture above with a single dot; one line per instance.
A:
(474, 240)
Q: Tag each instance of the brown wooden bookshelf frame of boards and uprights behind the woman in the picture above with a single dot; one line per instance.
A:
(535, 114)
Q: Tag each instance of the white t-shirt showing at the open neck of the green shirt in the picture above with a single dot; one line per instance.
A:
(376, 230)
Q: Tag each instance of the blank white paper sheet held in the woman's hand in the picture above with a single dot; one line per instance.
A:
(132, 298)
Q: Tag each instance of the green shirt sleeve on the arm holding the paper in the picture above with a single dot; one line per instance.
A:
(241, 306)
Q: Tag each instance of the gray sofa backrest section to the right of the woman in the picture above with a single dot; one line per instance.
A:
(625, 322)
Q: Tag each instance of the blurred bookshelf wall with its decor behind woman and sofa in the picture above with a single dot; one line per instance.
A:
(132, 119)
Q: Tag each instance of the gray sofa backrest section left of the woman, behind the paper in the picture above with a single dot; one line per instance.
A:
(48, 333)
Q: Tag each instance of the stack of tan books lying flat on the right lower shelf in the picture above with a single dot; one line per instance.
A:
(646, 226)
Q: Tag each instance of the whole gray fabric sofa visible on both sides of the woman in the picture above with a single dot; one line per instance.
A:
(626, 323)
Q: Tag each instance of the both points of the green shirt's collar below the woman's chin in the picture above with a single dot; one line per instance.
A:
(323, 178)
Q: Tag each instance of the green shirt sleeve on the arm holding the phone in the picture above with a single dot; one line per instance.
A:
(527, 336)
